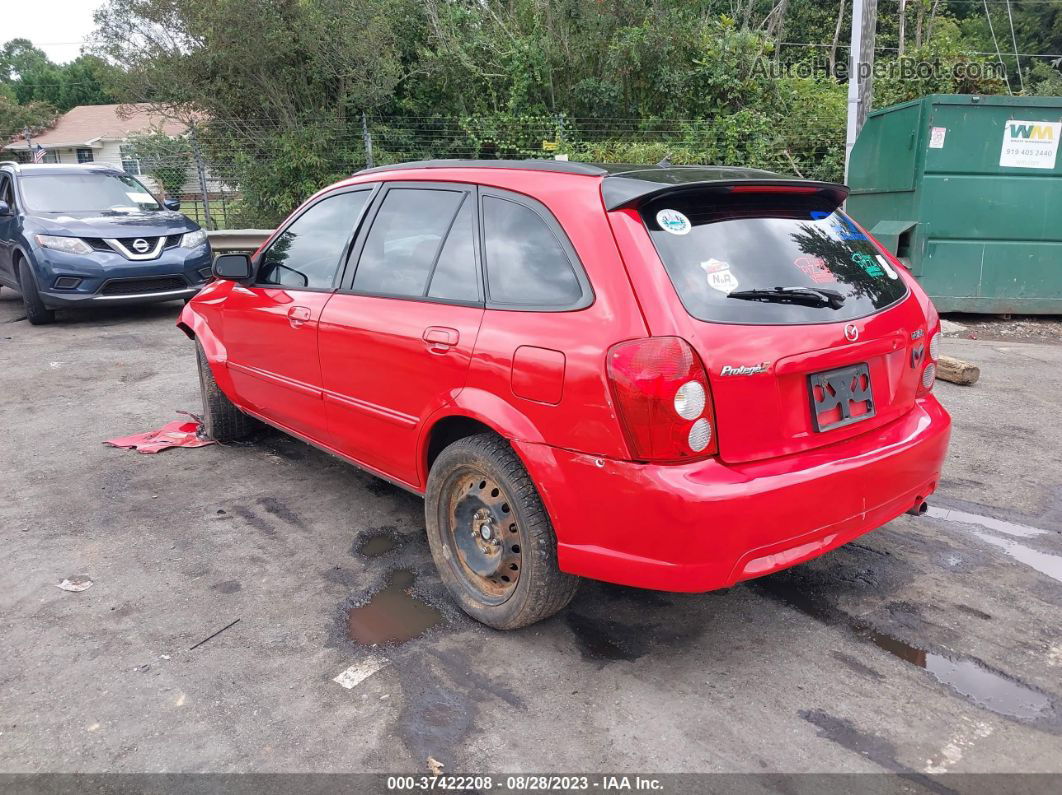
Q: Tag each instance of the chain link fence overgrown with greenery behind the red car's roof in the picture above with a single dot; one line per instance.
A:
(252, 175)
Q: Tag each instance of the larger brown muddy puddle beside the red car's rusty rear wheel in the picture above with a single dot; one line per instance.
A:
(392, 616)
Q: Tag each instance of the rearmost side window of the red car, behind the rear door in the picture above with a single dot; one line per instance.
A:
(526, 264)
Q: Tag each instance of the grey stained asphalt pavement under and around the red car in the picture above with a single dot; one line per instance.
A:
(932, 645)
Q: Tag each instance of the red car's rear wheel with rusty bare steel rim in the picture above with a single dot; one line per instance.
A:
(479, 482)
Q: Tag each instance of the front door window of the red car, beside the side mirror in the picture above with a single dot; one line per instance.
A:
(309, 253)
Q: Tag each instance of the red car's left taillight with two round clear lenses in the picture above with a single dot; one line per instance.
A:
(663, 400)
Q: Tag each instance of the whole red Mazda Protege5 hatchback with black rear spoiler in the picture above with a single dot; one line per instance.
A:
(672, 378)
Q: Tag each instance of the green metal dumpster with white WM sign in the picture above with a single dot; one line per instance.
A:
(968, 192)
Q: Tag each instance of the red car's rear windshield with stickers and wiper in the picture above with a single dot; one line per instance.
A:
(717, 247)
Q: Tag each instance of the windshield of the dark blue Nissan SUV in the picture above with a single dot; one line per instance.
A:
(90, 193)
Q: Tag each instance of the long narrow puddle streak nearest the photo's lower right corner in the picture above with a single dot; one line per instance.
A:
(992, 690)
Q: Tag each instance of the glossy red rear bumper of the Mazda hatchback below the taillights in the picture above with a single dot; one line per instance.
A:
(708, 525)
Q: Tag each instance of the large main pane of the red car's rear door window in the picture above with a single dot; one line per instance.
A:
(405, 241)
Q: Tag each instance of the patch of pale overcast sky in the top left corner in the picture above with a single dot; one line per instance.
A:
(58, 27)
